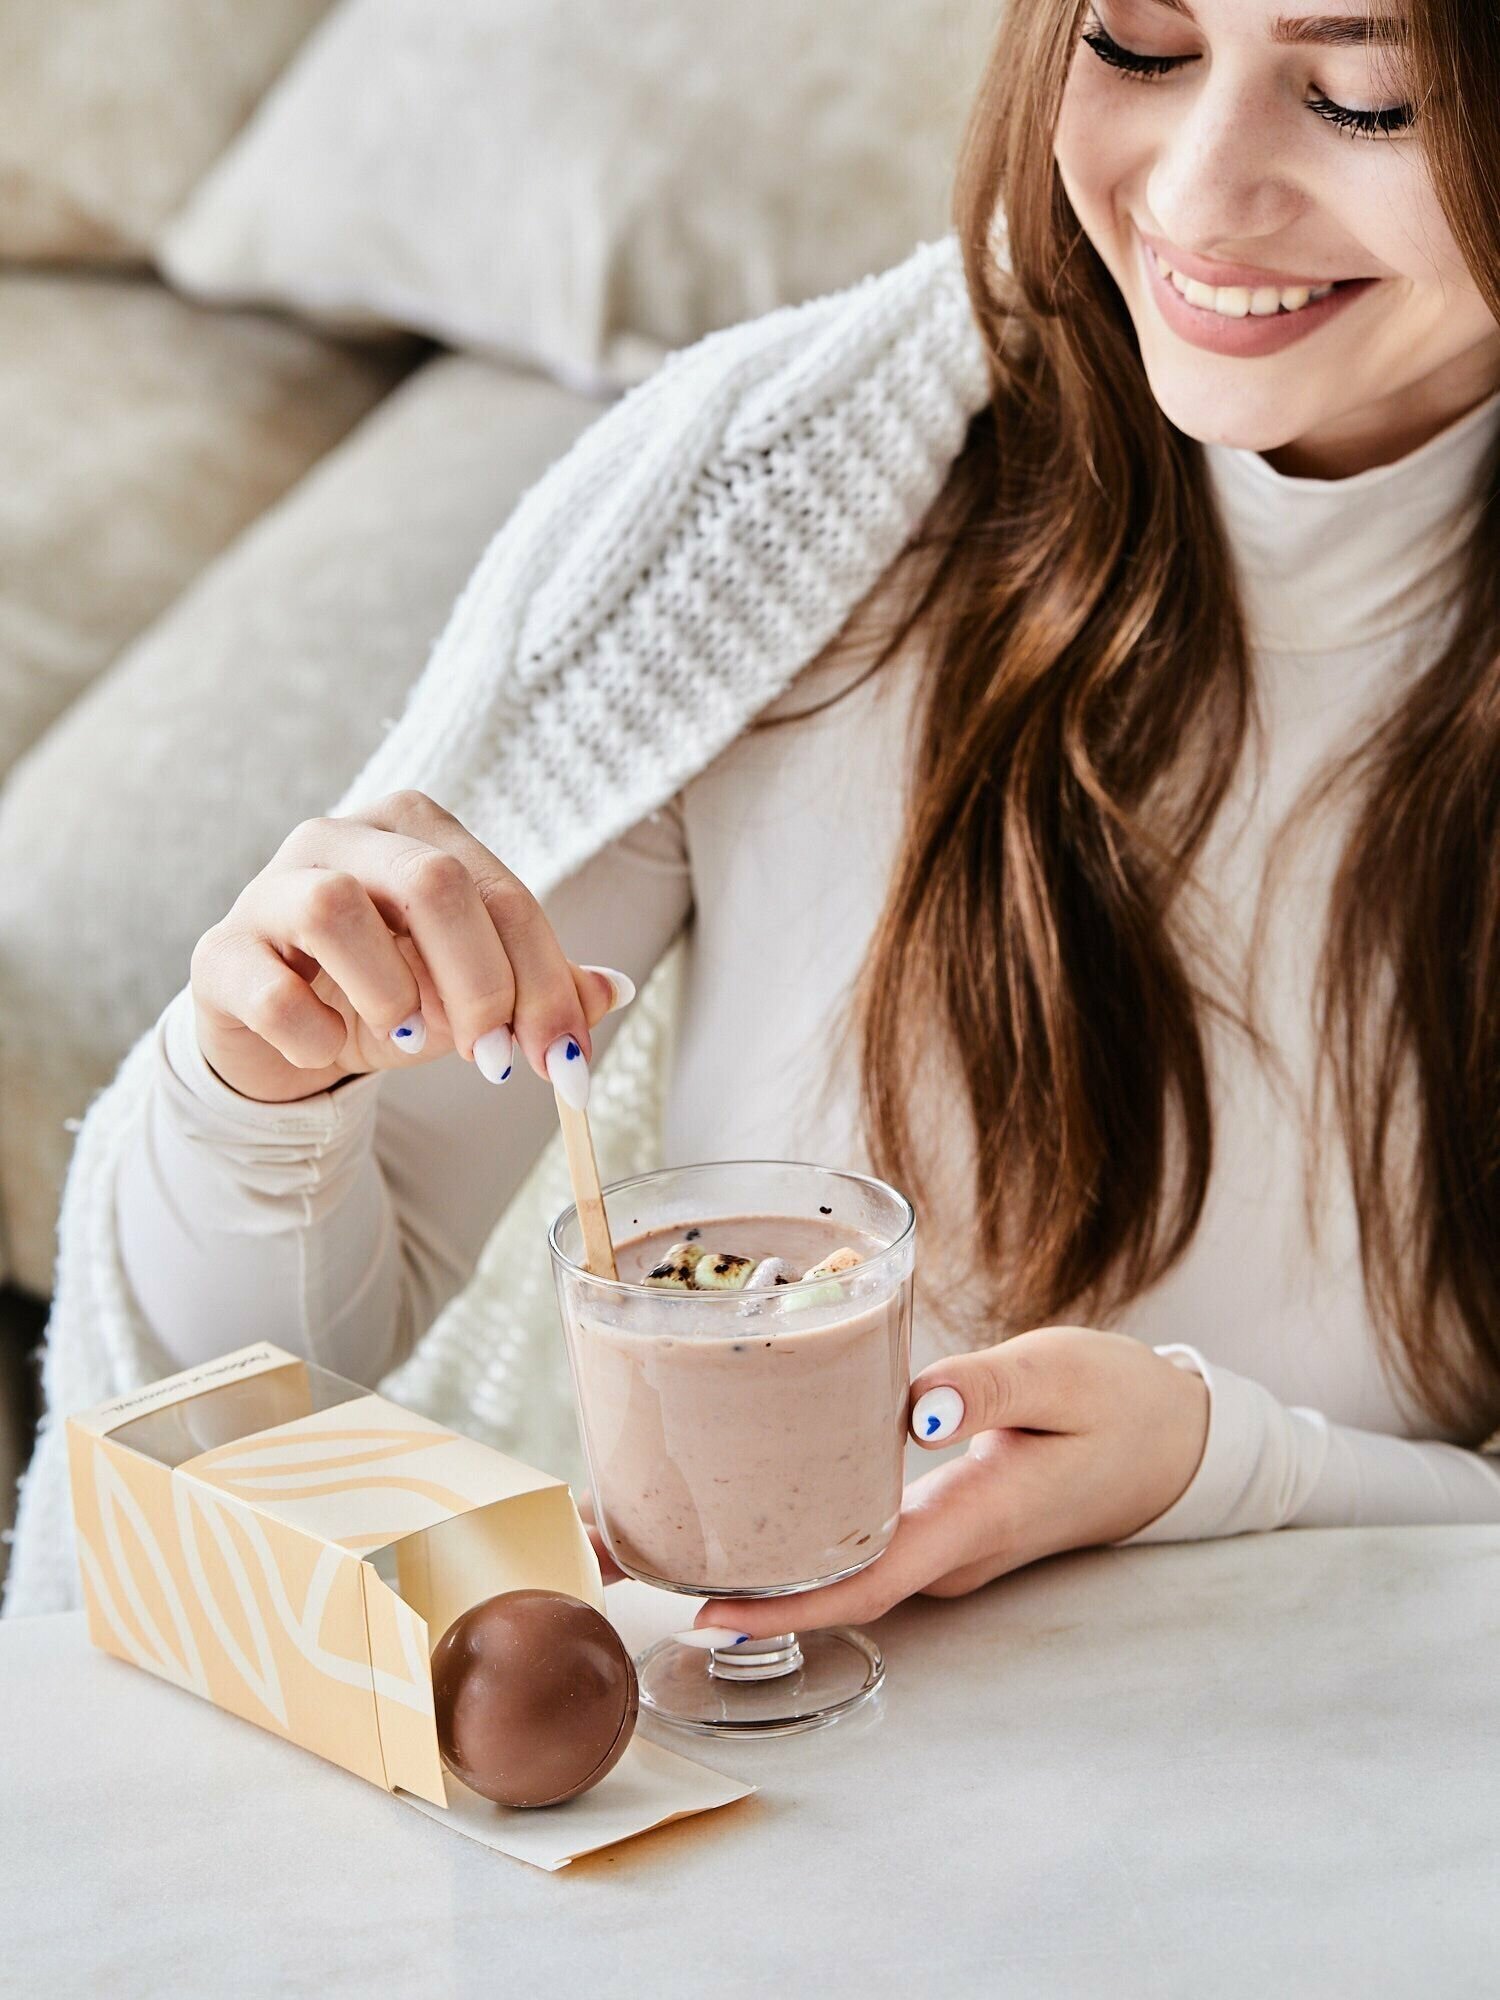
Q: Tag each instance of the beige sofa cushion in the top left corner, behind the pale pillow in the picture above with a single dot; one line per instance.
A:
(113, 109)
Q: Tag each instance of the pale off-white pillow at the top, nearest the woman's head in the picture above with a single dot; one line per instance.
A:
(585, 185)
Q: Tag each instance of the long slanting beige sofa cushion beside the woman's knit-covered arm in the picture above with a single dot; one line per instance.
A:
(251, 705)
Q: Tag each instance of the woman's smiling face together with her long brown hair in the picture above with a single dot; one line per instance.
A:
(1091, 681)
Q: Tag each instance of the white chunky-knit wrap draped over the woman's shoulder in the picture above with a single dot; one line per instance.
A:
(695, 549)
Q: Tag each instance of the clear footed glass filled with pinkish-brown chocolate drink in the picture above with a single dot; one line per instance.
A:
(747, 1445)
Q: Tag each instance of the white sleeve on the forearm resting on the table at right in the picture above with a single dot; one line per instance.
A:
(1273, 1467)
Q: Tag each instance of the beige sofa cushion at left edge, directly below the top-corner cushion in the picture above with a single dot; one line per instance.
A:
(143, 435)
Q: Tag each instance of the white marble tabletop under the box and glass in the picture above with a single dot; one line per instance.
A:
(1245, 1769)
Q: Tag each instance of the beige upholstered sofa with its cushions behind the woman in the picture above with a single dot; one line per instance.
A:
(297, 299)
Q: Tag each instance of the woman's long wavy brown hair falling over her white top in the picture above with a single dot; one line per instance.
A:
(1087, 699)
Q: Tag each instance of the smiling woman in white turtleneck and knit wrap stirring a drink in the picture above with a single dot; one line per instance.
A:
(1119, 879)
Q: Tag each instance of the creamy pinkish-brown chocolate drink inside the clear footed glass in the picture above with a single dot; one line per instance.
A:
(747, 1443)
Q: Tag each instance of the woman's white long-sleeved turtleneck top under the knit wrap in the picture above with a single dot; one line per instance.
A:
(345, 1229)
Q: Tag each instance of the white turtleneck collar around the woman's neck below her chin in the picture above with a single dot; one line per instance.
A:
(1337, 563)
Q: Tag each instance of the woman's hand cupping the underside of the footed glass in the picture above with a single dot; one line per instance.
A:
(1077, 1439)
